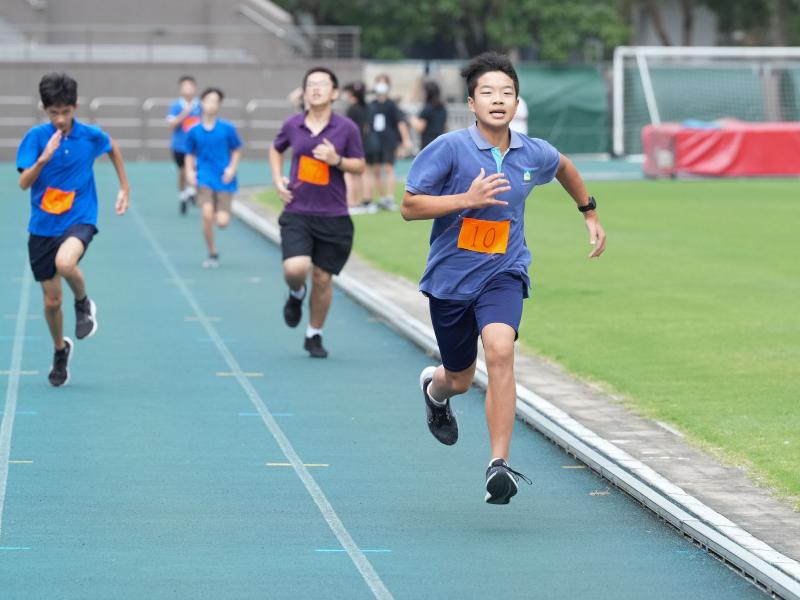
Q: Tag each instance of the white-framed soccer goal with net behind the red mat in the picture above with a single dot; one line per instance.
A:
(653, 84)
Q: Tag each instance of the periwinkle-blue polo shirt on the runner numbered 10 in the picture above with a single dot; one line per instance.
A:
(448, 166)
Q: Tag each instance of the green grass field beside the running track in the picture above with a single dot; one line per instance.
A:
(692, 314)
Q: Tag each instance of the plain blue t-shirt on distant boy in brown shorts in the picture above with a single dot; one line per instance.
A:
(213, 149)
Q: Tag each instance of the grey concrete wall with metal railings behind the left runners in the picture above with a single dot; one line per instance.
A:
(123, 89)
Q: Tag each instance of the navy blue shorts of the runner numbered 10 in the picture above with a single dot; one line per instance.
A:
(458, 323)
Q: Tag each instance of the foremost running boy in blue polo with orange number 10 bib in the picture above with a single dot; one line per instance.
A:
(473, 182)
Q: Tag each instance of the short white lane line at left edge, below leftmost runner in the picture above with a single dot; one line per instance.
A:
(12, 388)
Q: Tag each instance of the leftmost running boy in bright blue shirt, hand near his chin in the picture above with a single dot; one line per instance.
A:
(55, 161)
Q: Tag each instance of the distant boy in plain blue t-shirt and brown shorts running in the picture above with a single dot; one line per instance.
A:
(213, 153)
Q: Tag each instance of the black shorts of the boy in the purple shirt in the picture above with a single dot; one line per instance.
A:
(327, 240)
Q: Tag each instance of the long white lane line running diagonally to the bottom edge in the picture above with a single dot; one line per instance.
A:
(361, 562)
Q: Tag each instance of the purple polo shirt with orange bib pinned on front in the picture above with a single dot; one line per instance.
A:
(318, 190)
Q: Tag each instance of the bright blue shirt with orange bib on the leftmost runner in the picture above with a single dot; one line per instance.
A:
(64, 194)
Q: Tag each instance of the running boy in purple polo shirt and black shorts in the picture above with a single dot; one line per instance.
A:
(316, 229)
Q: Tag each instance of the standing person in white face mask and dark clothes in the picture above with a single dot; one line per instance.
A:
(388, 134)
